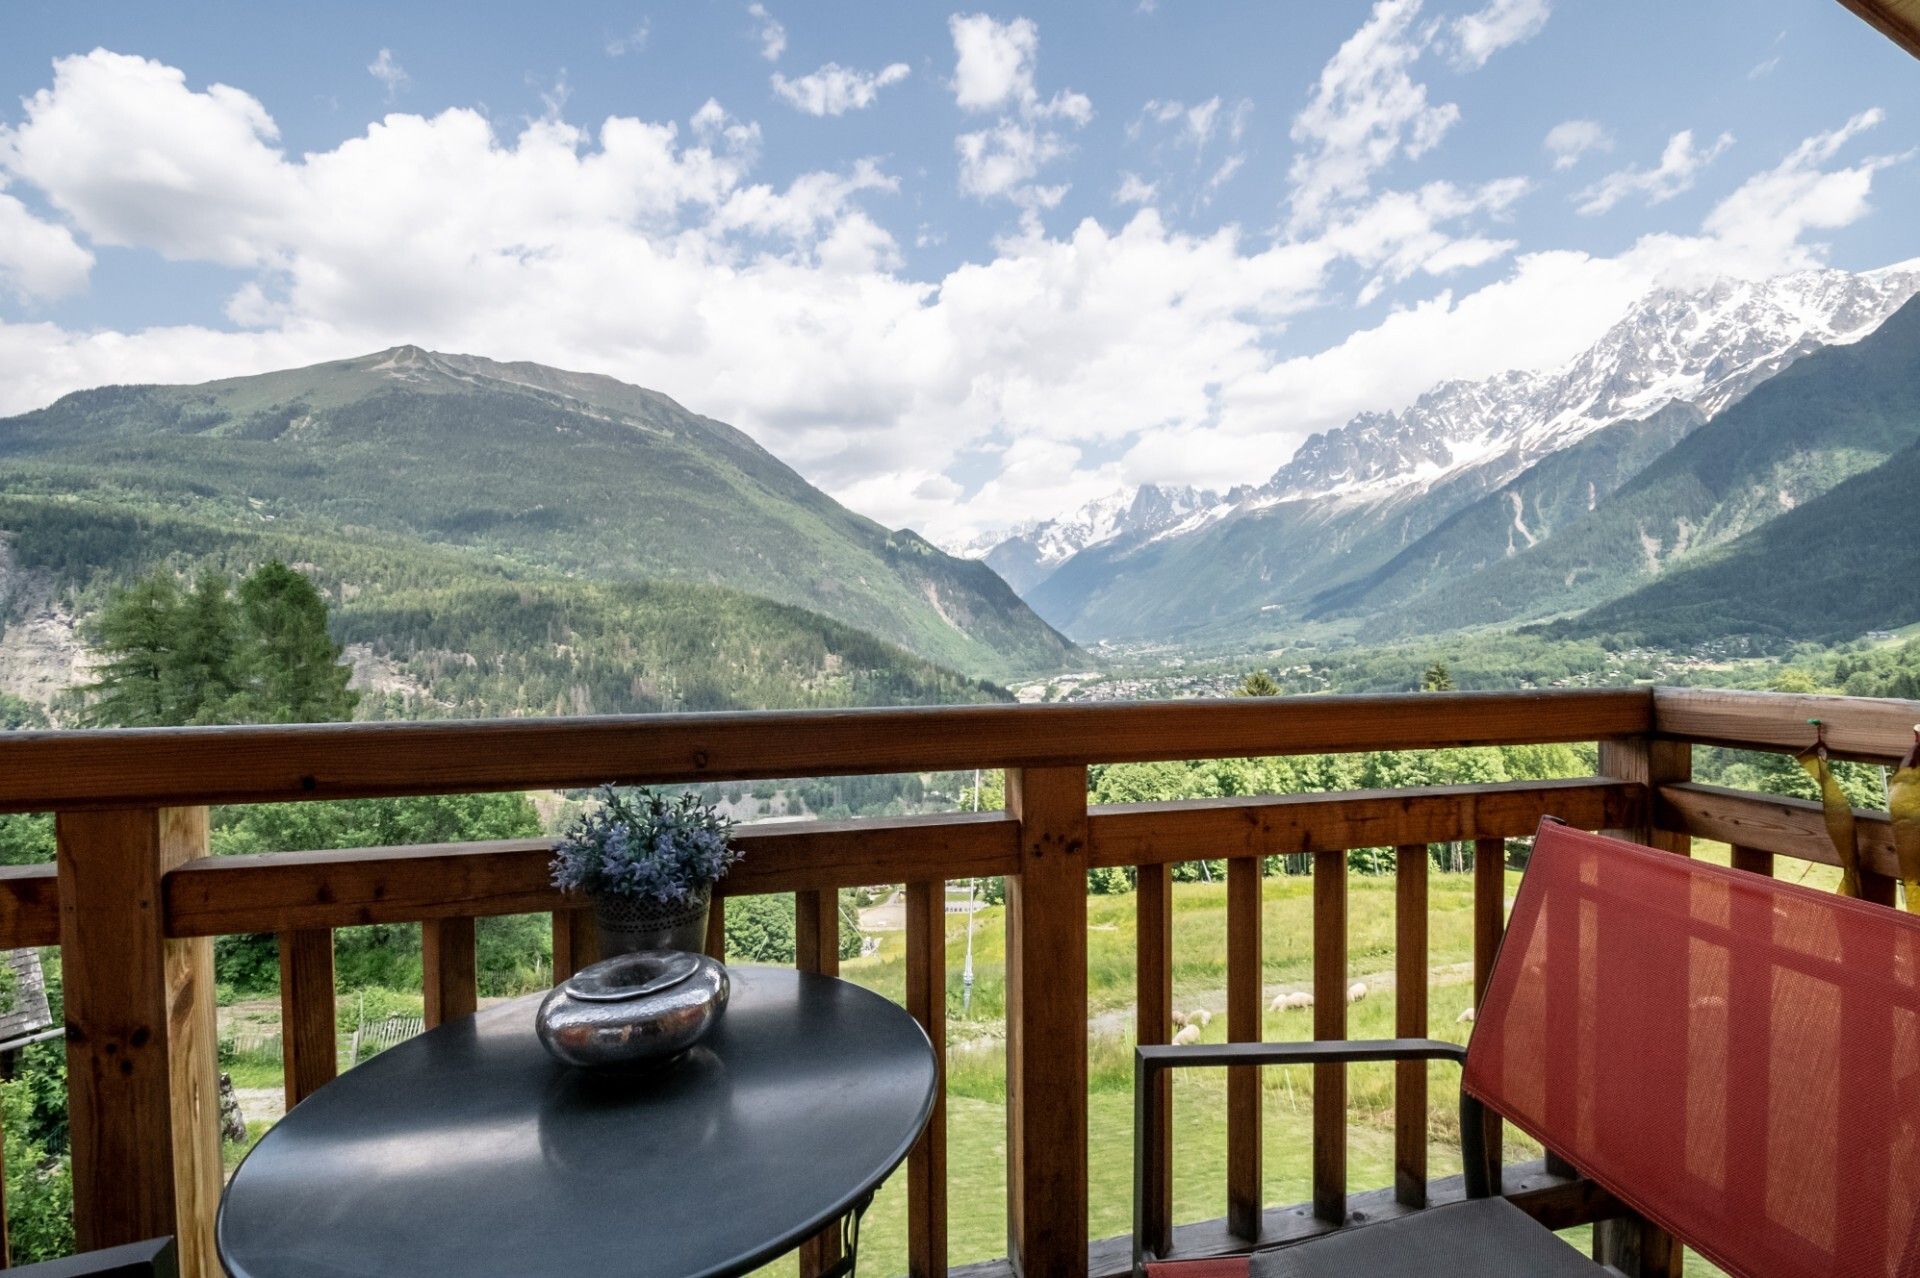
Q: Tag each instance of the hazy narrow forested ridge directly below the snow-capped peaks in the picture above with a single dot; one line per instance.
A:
(1554, 494)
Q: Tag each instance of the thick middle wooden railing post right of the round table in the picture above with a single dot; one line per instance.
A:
(1047, 1024)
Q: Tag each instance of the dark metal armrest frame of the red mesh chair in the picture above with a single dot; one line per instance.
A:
(1149, 1062)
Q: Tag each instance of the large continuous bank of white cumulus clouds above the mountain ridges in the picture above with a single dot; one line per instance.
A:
(1051, 369)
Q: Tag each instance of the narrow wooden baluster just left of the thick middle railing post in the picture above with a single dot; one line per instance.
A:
(926, 1001)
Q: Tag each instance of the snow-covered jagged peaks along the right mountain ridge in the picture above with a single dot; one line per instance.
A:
(1706, 346)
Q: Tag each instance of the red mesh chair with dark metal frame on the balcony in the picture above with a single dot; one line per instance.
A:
(1735, 1058)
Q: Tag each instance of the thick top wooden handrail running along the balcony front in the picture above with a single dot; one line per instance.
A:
(360, 761)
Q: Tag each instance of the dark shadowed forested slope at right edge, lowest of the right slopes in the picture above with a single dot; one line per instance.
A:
(1831, 571)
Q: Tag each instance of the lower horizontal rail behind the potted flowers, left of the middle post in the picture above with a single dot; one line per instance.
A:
(285, 891)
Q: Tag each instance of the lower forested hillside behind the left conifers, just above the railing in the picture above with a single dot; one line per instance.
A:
(441, 632)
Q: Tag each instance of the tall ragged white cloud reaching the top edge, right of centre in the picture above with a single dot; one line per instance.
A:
(1366, 112)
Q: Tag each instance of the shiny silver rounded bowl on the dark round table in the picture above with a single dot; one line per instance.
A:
(633, 1010)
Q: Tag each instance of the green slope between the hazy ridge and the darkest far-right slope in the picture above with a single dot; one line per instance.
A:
(1833, 415)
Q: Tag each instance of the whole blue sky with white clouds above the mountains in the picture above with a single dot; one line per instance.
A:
(961, 268)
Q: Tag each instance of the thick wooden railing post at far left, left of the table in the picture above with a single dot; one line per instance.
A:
(143, 1095)
